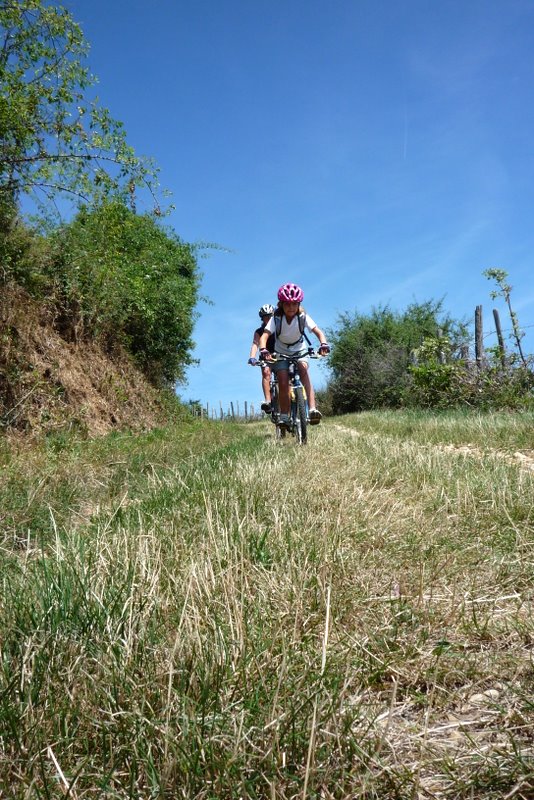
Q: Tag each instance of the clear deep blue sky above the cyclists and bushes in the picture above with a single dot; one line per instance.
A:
(373, 151)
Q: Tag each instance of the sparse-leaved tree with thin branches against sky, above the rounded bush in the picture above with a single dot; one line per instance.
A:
(53, 138)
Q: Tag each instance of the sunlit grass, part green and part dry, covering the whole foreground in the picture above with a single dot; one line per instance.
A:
(201, 613)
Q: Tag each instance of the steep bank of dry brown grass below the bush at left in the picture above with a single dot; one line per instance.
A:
(48, 384)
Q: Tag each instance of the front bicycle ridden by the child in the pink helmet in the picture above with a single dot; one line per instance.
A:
(298, 422)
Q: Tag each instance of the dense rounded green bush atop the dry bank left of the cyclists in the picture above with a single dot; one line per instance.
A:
(121, 278)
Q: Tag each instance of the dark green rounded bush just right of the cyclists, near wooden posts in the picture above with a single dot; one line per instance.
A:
(372, 353)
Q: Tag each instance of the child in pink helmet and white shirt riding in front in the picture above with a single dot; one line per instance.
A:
(288, 324)
